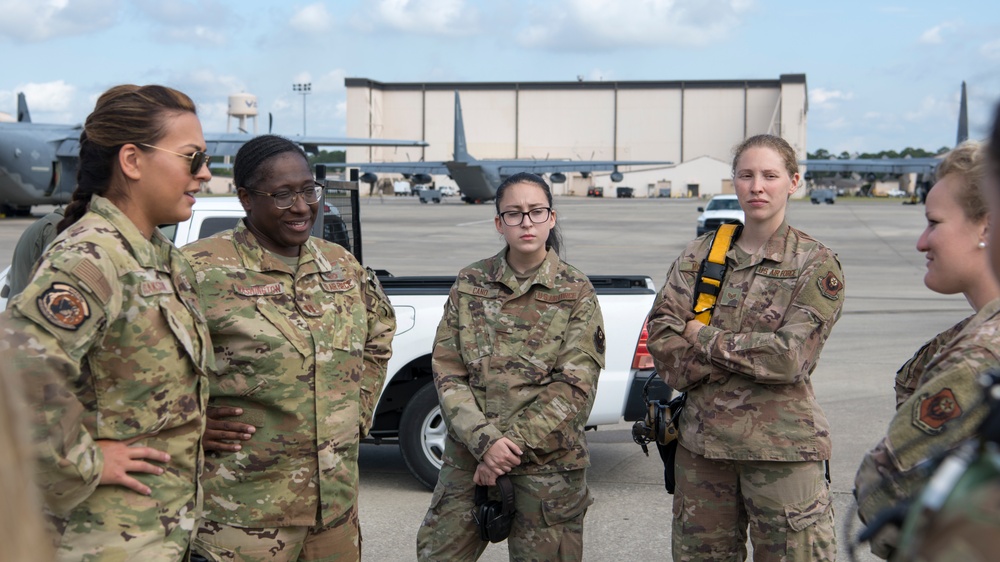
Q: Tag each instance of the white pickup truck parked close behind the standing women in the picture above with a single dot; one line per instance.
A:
(407, 412)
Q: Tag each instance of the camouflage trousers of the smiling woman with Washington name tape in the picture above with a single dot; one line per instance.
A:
(340, 541)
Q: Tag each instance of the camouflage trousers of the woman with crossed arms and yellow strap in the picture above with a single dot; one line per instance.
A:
(787, 506)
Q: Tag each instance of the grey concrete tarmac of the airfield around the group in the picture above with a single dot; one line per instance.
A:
(888, 315)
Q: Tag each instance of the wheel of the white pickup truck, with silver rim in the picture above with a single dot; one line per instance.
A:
(422, 434)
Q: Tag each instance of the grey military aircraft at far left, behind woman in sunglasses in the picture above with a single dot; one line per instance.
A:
(38, 161)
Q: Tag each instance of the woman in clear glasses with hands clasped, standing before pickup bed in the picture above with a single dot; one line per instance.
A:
(516, 362)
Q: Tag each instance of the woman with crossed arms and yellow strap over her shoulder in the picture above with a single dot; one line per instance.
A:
(753, 439)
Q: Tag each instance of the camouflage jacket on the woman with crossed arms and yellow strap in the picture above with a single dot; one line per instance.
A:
(747, 373)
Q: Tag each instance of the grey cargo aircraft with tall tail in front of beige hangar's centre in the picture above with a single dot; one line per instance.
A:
(478, 180)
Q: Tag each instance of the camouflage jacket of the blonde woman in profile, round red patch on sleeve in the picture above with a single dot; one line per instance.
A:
(945, 410)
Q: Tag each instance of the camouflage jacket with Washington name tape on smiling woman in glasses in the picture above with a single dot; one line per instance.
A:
(304, 355)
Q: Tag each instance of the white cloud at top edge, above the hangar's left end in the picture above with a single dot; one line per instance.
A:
(426, 17)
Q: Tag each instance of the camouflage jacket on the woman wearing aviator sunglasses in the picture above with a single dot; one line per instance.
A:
(111, 340)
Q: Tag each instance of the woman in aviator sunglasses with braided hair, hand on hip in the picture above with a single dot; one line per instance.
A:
(110, 340)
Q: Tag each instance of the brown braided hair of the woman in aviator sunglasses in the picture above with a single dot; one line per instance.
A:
(124, 114)
